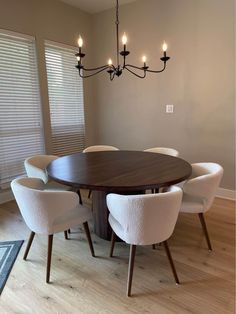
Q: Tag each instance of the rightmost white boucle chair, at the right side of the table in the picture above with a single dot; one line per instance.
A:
(199, 191)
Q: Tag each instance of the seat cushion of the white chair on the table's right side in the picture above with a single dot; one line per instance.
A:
(191, 204)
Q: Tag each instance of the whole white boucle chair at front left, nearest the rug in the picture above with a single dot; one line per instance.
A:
(48, 212)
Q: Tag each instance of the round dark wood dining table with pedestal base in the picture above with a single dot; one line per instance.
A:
(123, 172)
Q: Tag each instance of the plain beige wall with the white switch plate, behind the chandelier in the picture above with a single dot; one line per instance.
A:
(199, 80)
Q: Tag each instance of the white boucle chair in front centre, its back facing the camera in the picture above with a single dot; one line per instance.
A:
(144, 220)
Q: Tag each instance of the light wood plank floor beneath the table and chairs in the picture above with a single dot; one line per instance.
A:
(83, 284)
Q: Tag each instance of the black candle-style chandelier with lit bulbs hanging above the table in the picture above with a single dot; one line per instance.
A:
(117, 70)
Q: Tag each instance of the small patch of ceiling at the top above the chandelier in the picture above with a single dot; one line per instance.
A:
(95, 6)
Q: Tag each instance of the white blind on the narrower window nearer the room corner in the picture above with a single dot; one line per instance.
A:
(66, 100)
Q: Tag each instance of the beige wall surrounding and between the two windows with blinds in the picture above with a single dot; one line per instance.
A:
(51, 20)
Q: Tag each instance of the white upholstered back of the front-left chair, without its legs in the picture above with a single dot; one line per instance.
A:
(42, 209)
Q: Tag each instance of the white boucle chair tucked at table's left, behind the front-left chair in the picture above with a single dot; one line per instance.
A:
(35, 167)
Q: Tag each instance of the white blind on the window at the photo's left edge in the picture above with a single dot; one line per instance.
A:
(20, 114)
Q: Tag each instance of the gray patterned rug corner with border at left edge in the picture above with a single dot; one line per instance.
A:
(8, 254)
